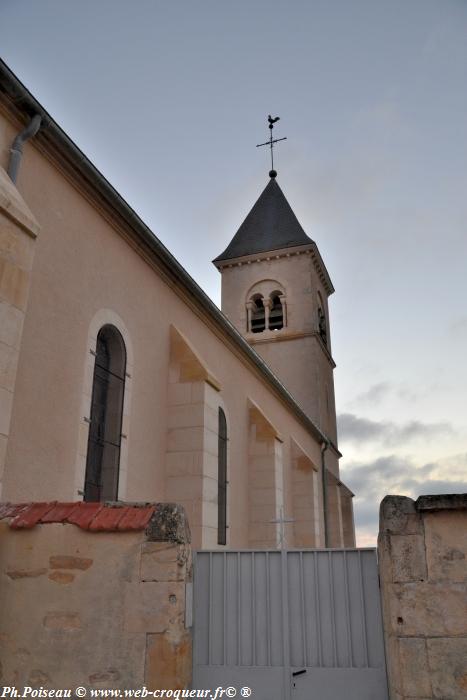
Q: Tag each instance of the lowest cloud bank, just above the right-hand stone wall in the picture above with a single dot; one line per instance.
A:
(392, 474)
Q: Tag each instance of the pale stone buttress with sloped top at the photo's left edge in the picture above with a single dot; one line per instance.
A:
(18, 230)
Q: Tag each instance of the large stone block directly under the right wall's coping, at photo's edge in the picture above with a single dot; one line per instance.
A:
(446, 545)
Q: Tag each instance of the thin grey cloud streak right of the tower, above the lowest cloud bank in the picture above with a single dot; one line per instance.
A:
(353, 428)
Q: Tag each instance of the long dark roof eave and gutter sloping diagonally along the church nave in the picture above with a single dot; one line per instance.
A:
(52, 136)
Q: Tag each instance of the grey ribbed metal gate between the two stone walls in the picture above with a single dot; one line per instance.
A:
(289, 624)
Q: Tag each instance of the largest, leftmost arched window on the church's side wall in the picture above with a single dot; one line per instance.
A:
(103, 456)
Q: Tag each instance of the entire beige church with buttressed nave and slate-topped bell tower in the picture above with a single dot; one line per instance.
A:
(120, 380)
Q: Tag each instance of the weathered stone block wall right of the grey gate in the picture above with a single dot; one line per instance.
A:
(422, 549)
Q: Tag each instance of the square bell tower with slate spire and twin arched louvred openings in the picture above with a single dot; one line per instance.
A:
(275, 290)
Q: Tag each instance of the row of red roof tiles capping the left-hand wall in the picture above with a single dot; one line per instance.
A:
(95, 517)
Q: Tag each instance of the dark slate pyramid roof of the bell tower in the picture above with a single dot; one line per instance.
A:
(270, 225)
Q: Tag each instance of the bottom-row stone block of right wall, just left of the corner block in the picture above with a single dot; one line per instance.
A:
(414, 667)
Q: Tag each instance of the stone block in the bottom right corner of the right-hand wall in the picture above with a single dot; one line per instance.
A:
(448, 664)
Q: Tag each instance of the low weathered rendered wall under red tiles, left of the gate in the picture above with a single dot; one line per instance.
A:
(99, 609)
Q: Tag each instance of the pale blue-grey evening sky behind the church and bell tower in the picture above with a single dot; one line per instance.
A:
(169, 99)
